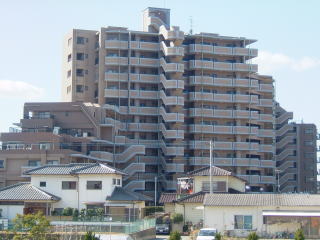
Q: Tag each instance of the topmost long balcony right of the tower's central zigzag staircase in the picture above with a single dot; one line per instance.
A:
(219, 50)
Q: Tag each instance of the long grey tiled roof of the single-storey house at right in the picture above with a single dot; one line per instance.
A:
(262, 200)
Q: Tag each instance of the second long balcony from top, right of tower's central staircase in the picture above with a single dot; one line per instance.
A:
(222, 66)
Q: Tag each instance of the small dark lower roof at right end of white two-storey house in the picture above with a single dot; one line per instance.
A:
(120, 194)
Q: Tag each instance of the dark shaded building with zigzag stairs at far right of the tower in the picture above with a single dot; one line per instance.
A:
(296, 154)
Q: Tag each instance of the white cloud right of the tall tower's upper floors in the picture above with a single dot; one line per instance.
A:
(269, 62)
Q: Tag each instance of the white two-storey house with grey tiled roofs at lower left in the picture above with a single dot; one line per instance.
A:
(79, 186)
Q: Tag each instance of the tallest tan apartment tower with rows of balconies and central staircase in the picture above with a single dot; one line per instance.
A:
(171, 93)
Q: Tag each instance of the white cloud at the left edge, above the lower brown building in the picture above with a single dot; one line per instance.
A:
(19, 89)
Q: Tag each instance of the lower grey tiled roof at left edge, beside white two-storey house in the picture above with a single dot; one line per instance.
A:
(25, 192)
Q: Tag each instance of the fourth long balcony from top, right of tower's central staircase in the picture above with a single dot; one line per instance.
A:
(216, 97)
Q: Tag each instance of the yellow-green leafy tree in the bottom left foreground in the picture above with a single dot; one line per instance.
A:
(36, 226)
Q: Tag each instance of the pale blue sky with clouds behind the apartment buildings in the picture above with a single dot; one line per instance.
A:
(32, 32)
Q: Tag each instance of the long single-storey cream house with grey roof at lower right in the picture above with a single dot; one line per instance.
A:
(268, 214)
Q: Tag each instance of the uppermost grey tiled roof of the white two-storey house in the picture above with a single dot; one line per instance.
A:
(74, 168)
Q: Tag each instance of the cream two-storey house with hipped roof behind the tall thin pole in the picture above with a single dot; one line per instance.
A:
(192, 189)
